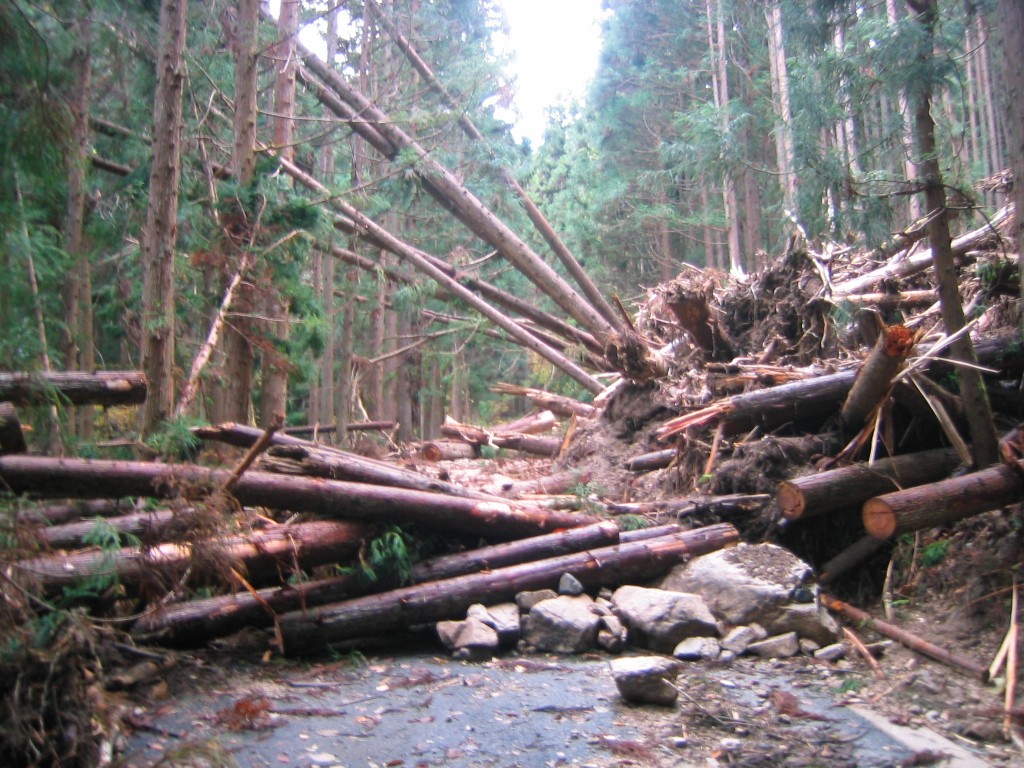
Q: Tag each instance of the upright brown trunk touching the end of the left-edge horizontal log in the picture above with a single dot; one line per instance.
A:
(161, 225)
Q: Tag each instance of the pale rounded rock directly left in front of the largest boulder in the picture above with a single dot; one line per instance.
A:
(661, 620)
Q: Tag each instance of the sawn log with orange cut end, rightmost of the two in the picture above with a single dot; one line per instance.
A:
(945, 502)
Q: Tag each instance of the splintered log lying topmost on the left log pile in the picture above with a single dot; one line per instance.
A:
(324, 461)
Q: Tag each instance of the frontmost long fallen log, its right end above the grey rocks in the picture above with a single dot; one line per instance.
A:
(315, 631)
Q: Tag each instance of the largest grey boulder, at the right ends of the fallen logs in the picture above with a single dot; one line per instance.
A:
(743, 584)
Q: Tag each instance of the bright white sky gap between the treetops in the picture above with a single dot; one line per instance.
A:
(557, 45)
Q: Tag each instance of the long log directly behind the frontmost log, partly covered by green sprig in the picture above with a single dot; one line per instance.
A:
(198, 621)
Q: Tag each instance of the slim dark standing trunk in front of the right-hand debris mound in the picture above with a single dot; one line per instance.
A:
(976, 408)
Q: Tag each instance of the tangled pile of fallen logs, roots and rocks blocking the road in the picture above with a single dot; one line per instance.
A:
(758, 403)
